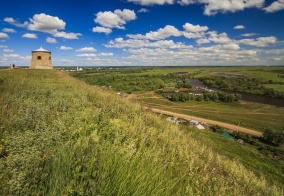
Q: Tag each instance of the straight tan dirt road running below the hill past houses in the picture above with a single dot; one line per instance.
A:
(212, 122)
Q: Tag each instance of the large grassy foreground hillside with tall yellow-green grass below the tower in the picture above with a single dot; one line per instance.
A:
(60, 136)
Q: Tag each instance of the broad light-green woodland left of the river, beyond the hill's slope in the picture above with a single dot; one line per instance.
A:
(124, 80)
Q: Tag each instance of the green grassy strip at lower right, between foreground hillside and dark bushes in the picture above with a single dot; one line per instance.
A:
(246, 154)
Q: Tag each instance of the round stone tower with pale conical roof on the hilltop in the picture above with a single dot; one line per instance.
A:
(41, 59)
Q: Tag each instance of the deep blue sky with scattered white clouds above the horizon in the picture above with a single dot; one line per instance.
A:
(143, 32)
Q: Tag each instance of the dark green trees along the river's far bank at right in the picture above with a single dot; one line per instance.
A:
(245, 85)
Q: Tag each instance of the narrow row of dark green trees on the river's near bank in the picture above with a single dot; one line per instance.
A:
(207, 96)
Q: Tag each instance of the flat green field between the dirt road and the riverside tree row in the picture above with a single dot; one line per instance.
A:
(251, 115)
